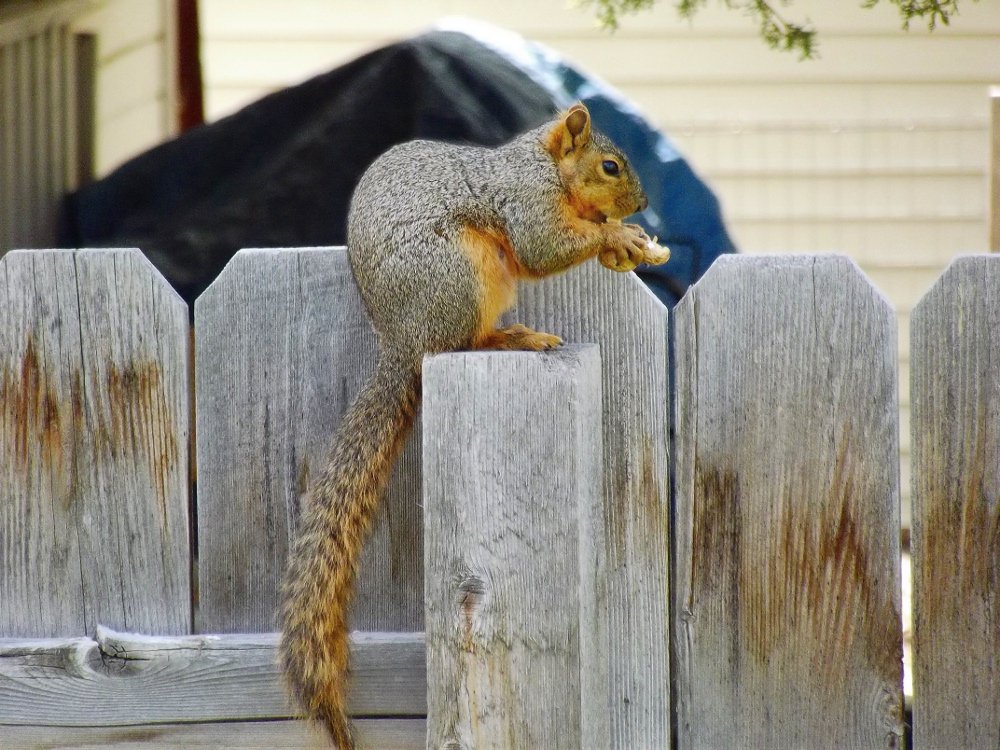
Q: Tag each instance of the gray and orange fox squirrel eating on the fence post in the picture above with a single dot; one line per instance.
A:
(438, 237)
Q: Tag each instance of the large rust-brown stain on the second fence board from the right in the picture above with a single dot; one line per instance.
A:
(811, 578)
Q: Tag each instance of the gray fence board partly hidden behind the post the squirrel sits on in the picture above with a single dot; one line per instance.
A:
(589, 304)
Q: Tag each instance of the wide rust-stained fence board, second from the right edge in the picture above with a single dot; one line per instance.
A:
(787, 509)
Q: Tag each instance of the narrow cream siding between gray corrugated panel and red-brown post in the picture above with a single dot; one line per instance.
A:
(135, 98)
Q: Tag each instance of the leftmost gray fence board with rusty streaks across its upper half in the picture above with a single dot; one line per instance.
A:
(93, 445)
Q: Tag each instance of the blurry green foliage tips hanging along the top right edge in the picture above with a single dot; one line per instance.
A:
(776, 30)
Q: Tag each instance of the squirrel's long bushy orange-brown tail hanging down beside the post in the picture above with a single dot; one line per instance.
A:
(336, 517)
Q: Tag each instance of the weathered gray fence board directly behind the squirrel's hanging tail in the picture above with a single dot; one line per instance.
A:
(283, 344)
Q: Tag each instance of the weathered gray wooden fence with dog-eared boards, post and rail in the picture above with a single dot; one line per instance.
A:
(515, 593)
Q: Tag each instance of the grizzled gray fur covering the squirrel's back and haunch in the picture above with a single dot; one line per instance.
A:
(416, 198)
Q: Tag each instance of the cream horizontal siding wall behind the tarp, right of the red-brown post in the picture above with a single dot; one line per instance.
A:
(878, 149)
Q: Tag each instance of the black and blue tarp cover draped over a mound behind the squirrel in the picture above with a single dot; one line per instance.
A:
(280, 172)
